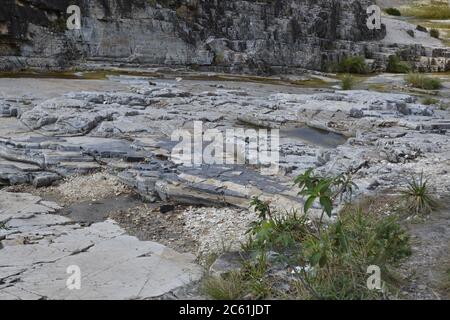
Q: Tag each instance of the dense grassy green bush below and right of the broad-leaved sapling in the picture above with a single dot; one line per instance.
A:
(338, 258)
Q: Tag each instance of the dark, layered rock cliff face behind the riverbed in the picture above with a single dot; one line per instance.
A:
(235, 35)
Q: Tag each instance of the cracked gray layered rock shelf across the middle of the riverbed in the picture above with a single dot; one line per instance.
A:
(375, 136)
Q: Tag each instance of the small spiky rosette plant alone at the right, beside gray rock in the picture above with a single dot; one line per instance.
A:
(418, 198)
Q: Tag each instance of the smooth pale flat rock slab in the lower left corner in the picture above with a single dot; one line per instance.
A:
(38, 247)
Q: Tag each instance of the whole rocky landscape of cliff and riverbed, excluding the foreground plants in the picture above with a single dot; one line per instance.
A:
(88, 177)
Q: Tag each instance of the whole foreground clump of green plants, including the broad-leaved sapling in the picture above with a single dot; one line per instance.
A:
(328, 262)
